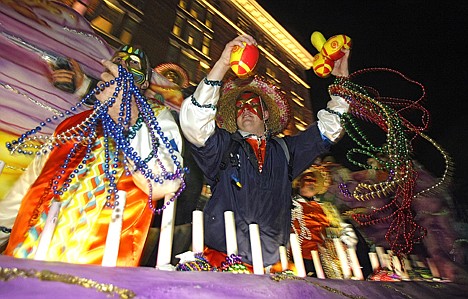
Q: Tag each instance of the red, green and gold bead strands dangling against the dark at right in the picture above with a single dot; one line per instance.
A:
(388, 115)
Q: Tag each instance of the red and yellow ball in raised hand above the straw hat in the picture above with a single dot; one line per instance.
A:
(243, 60)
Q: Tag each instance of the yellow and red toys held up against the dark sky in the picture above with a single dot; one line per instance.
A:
(329, 52)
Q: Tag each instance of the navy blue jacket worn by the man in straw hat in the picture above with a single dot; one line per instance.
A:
(264, 198)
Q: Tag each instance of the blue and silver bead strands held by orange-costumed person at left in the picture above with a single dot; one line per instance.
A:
(118, 152)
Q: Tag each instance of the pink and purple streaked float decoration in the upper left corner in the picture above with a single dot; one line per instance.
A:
(52, 27)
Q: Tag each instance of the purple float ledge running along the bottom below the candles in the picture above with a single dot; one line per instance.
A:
(152, 283)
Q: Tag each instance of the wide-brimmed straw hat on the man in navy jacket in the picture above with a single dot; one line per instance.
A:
(277, 105)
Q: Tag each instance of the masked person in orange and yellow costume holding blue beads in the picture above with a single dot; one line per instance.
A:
(126, 143)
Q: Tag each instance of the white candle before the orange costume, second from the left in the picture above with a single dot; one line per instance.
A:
(111, 250)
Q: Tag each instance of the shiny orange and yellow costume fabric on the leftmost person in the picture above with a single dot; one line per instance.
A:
(82, 225)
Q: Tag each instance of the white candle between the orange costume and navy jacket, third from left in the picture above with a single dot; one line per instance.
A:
(167, 231)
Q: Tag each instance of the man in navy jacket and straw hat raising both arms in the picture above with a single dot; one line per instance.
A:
(248, 169)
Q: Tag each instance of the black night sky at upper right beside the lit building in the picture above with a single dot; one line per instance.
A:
(424, 40)
